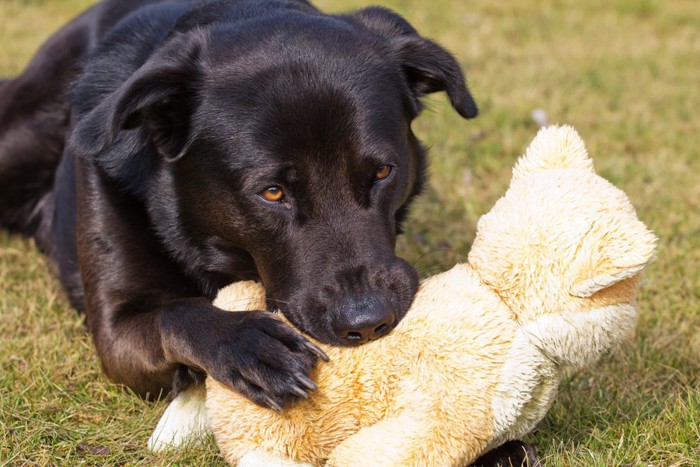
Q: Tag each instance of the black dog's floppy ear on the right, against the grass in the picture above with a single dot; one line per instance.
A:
(428, 67)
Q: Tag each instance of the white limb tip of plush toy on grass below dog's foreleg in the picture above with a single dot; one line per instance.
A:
(184, 421)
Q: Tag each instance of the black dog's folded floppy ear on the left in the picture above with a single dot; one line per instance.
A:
(159, 98)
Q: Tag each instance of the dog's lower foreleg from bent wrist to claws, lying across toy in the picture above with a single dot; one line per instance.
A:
(255, 353)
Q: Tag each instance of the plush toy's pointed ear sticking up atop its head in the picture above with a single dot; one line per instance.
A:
(554, 147)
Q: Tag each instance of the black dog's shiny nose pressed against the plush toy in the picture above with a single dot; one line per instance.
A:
(364, 320)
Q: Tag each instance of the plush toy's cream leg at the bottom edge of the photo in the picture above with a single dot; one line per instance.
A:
(410, 439)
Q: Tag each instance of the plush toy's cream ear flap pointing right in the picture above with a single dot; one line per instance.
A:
(614, 249)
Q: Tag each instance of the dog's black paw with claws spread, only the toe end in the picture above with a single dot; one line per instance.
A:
(263, 358)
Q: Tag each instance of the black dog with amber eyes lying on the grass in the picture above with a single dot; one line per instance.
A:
(158, 150)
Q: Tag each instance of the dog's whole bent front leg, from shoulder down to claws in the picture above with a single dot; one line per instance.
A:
(153, 328)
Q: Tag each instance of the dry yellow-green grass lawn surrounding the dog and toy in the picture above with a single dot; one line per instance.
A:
(623, 72)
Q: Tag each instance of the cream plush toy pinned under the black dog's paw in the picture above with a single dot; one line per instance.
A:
(549, 285)
